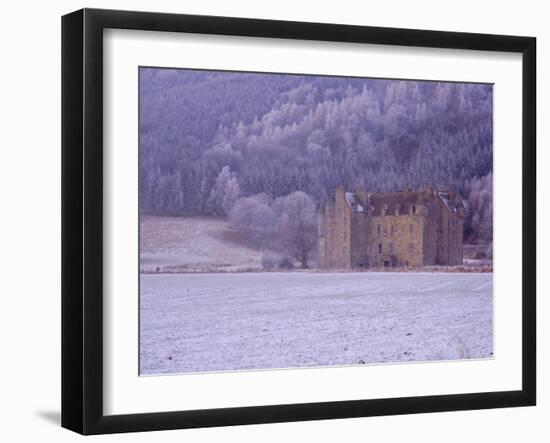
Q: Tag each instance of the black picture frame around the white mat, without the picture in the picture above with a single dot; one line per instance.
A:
(82, 218)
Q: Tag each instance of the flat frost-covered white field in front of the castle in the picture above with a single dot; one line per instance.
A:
(225, 322)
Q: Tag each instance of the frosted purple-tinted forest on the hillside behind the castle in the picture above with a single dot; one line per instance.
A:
(210, 139)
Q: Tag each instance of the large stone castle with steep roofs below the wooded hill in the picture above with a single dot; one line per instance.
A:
(386, 229)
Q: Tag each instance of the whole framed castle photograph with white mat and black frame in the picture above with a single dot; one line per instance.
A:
(269, 221)
